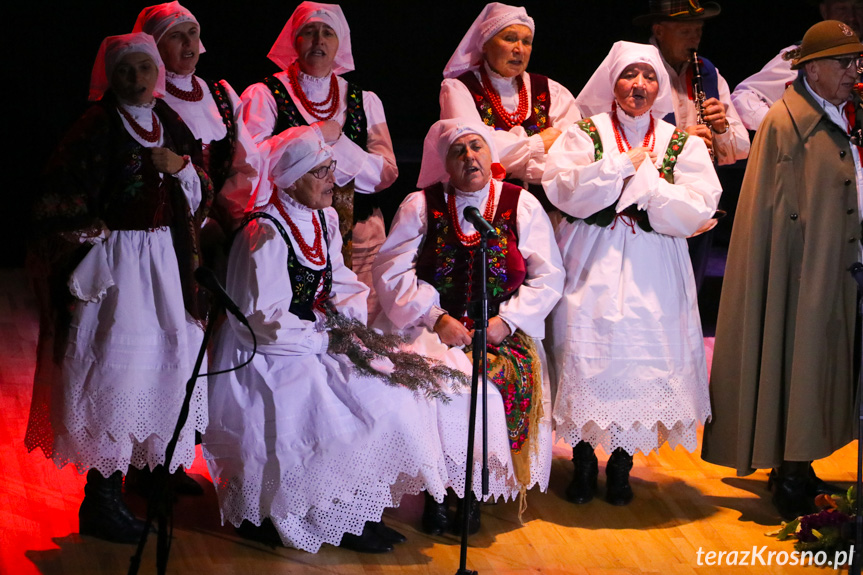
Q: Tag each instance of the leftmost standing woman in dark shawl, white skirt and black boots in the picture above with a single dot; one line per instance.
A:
(116, 244)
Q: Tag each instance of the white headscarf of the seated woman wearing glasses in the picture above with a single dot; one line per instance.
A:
(292, 153)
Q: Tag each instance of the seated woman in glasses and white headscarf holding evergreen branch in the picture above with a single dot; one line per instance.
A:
(302, 448)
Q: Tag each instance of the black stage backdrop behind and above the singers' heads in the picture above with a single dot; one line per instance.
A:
(400, 49)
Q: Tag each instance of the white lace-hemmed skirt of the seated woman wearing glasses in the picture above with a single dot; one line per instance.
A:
(320, 451)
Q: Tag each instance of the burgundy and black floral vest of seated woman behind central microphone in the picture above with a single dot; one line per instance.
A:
(447, 264)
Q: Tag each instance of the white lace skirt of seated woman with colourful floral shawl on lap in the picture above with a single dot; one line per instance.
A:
(453, 421)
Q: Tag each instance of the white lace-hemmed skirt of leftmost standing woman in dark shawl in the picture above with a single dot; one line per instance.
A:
(115, 397)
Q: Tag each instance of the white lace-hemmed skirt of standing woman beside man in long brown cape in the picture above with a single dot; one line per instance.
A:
(627, 341)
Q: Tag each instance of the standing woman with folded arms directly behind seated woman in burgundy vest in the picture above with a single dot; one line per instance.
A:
(486, 79)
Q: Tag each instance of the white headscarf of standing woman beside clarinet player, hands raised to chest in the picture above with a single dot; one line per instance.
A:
(598, 94)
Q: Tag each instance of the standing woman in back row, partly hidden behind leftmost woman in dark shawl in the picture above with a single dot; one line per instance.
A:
(208, 108)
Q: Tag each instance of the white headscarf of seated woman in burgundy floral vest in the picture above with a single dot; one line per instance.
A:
(436, 146)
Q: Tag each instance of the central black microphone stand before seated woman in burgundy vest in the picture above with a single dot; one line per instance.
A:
(479, 314)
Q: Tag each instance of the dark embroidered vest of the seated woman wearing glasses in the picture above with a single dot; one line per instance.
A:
(304, 281)
